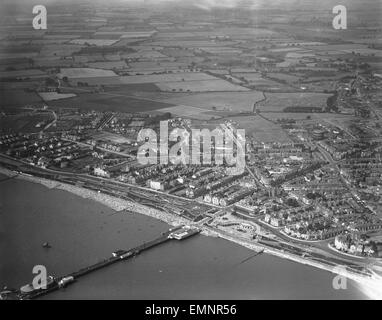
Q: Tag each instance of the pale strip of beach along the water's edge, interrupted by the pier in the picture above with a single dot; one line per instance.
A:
(127, 206)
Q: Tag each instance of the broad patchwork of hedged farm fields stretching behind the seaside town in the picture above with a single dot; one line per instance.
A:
(194, 66)
